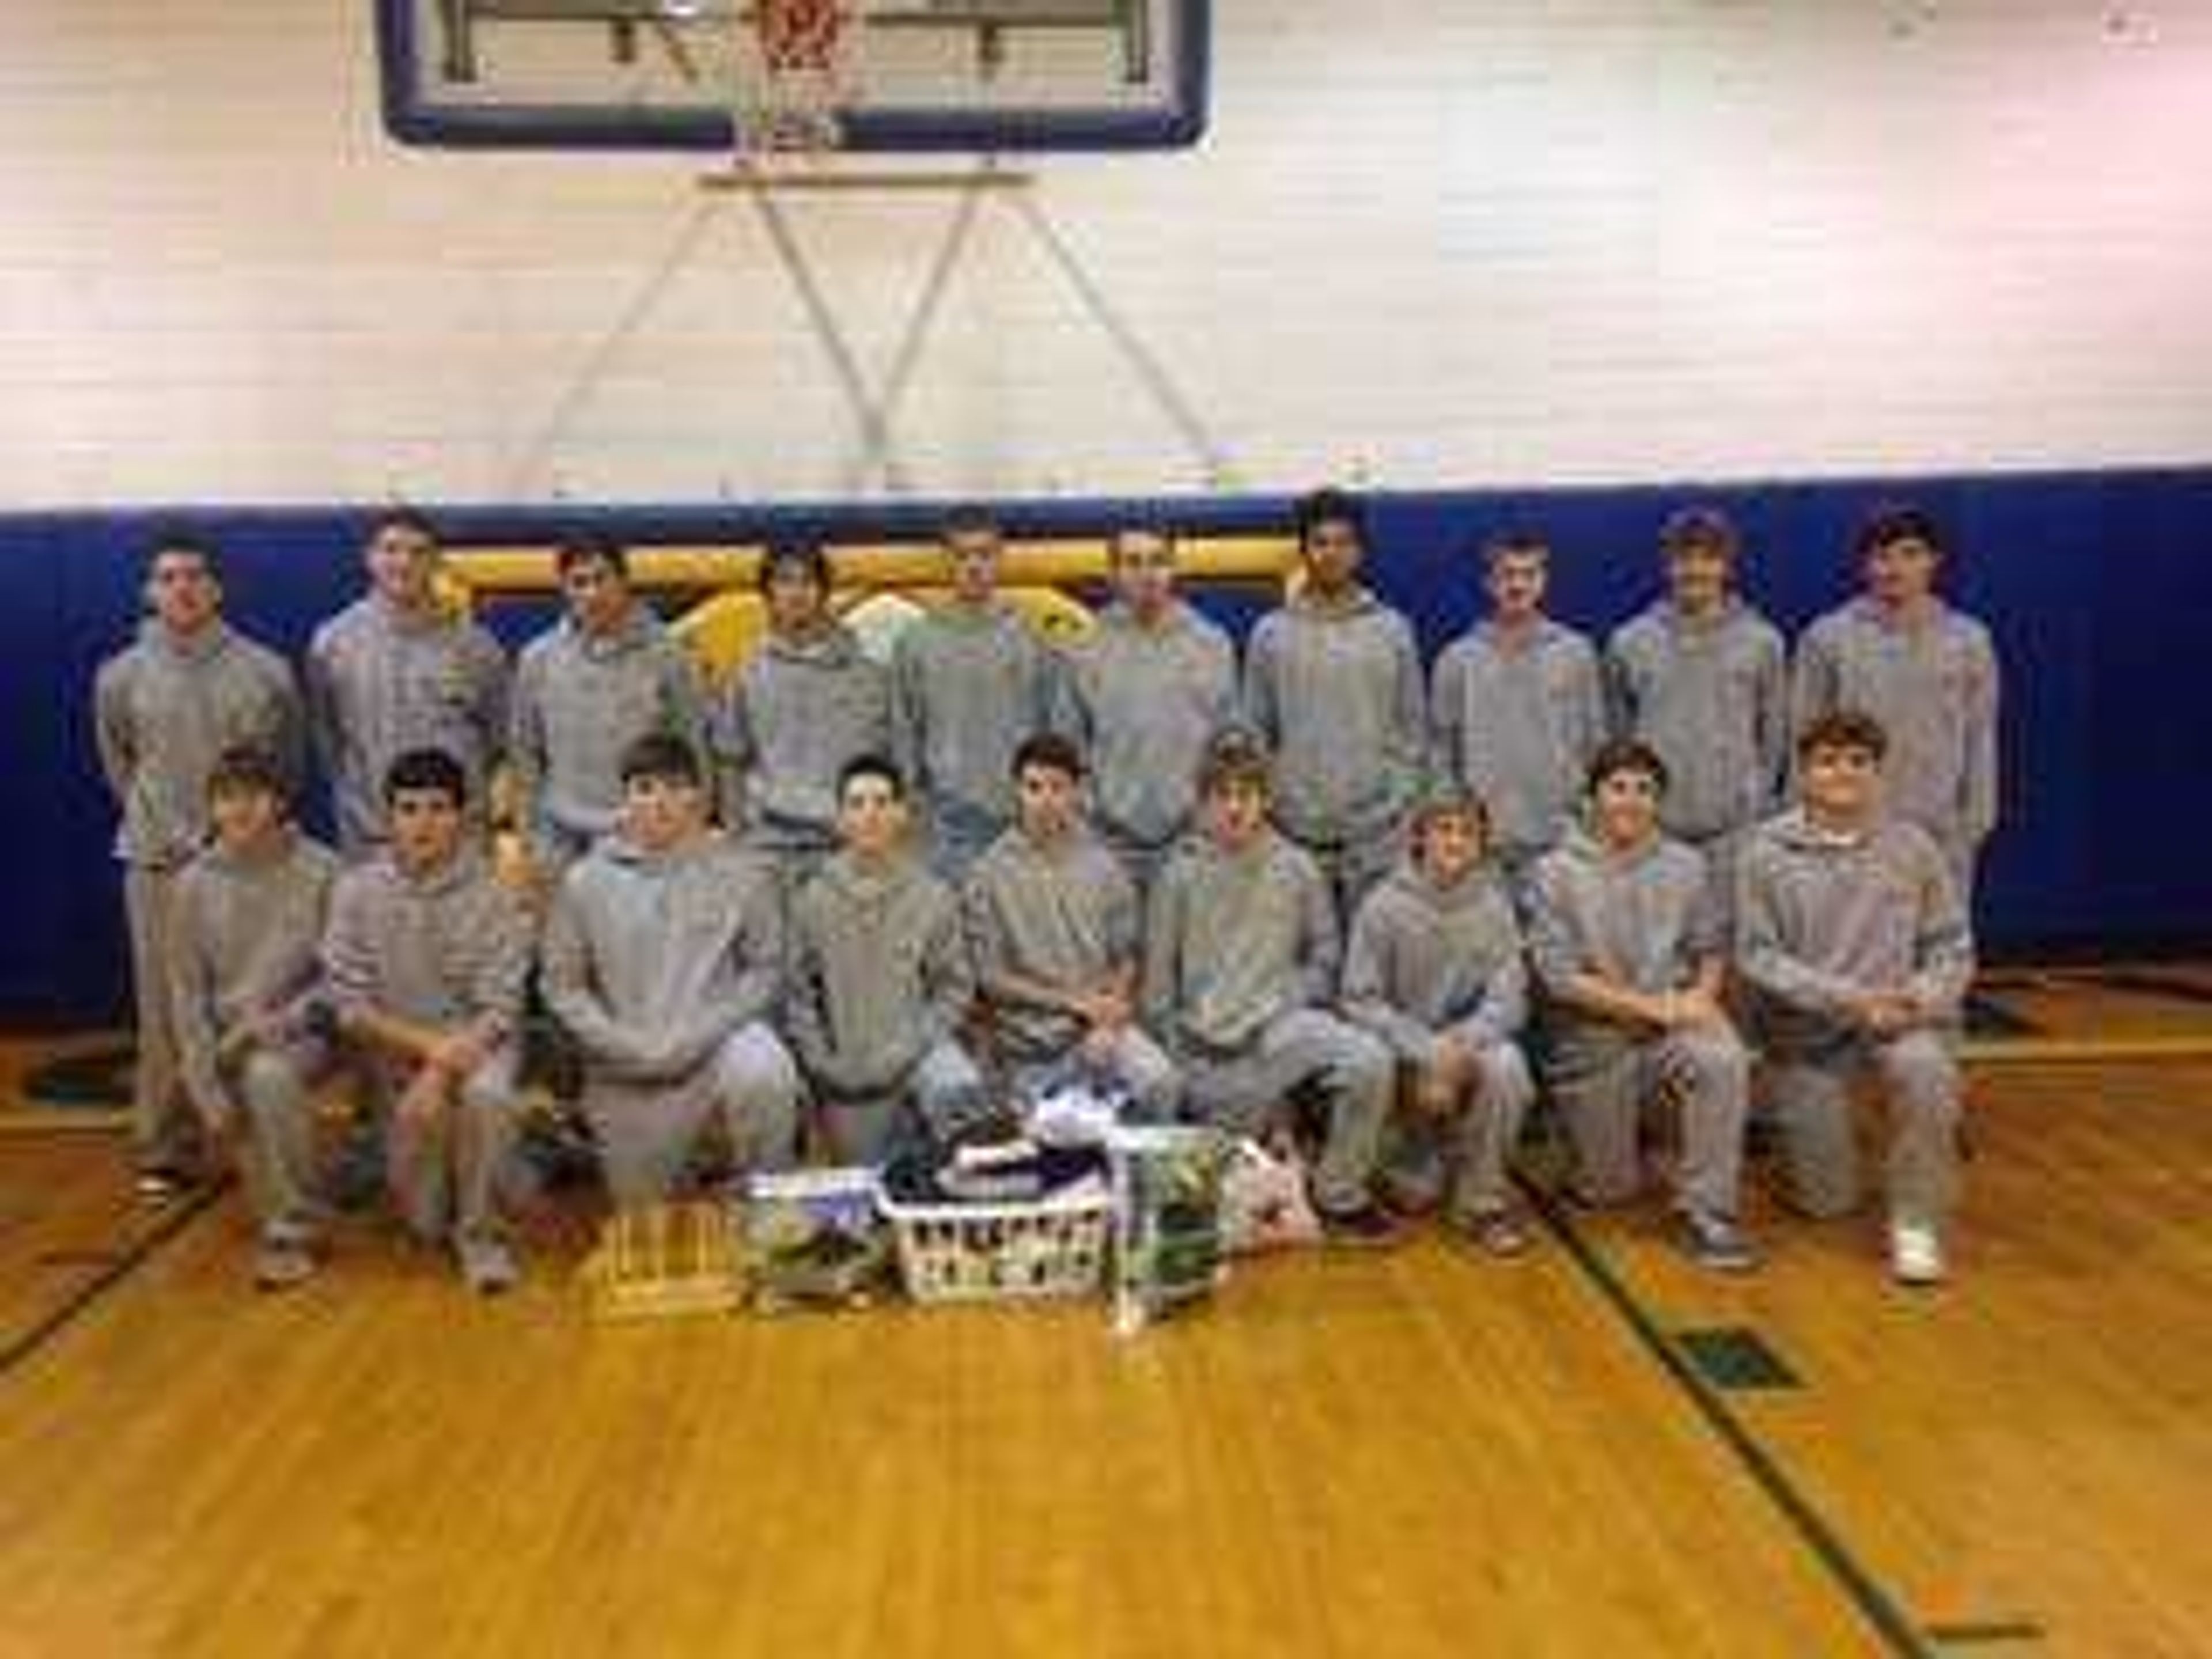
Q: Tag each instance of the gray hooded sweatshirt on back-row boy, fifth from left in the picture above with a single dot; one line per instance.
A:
(968, 687)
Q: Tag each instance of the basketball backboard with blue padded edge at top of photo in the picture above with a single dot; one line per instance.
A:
(919, 76)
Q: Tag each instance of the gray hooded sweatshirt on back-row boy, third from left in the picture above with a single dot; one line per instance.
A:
(581, 702)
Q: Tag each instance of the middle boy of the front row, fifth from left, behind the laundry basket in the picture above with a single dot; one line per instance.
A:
(1052, 921)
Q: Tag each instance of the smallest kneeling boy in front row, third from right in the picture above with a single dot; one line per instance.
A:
(1437, 974)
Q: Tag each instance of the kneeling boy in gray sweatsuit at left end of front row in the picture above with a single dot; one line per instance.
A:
(242, 981)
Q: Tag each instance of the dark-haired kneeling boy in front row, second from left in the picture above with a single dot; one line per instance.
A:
(426, 961)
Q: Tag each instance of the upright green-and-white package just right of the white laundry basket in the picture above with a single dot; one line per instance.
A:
(1169, 1246)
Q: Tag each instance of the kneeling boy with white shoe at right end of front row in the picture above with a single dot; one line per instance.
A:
(1859, 954)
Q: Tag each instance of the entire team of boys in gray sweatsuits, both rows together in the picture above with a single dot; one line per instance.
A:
(1653, 890)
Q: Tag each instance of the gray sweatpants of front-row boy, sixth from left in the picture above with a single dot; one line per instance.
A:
(1249, 1094)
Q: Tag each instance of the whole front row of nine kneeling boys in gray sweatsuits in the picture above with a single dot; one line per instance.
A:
(720, 999)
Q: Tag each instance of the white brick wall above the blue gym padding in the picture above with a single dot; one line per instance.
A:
(1477, 242)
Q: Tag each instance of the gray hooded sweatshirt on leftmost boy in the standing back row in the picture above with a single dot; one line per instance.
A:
(165, 711)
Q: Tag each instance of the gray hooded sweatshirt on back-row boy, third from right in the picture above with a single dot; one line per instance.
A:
(1519, 727)
